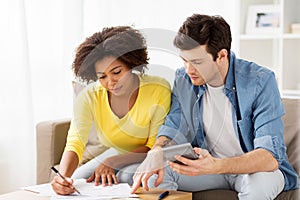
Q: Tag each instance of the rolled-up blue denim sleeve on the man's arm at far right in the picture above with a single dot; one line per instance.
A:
(267, 117)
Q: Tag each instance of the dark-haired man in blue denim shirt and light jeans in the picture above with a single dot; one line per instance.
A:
(230, 110)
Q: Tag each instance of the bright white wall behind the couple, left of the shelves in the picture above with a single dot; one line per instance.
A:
(37, 48)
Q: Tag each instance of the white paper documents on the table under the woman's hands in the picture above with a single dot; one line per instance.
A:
(87, 190)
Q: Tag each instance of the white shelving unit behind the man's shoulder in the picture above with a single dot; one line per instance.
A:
(278, 51)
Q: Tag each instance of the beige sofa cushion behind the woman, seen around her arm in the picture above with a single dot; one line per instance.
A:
(93, 147)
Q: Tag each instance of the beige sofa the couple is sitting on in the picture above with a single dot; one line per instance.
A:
(51, 139)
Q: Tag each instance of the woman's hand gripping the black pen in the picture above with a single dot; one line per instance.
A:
(61, 186)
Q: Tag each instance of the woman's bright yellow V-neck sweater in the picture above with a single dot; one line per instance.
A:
(137, 128)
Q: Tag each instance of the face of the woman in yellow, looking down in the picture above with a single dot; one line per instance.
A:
(114, 75)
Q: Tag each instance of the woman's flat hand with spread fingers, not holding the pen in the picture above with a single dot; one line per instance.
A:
(105, 174)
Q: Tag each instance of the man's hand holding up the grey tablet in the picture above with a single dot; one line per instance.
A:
(206, 164)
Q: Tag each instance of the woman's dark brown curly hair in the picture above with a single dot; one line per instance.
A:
(122, 42)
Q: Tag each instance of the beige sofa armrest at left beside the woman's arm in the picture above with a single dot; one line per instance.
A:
(50, 143)
